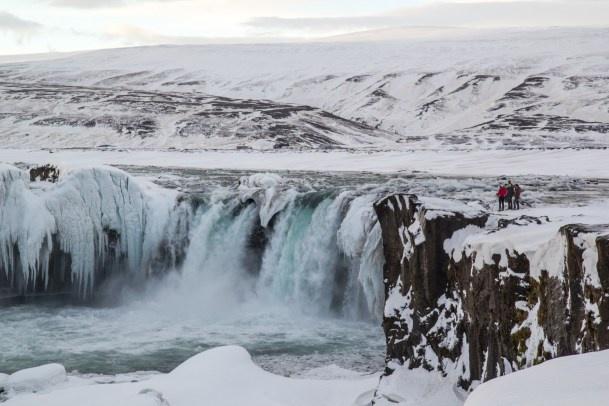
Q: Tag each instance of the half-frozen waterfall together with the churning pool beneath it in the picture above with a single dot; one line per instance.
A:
(290, 271)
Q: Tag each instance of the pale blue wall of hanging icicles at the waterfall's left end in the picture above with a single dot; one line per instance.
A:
(90, 216)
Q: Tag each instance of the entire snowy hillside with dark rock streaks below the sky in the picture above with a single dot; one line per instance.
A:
(461, 89)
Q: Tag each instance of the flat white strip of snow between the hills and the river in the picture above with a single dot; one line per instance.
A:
(567, 162)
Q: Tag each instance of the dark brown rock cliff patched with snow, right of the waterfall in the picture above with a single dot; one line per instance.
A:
(461, 300)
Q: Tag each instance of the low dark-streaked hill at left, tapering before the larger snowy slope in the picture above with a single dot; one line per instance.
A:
(77, 116)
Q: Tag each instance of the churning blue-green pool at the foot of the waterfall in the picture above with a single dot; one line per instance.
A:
(143, 337)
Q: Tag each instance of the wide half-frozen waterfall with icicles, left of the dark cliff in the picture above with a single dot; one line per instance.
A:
(314, 249)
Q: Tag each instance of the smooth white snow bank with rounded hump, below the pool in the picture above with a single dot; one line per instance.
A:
(224, 376)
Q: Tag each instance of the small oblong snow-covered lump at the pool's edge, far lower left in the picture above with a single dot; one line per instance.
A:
(36, 379)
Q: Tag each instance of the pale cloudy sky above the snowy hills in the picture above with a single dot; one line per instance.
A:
(37, 26)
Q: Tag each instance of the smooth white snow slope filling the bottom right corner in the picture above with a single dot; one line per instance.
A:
(575, 380)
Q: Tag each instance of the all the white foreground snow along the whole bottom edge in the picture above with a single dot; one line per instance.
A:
(227, 376)
